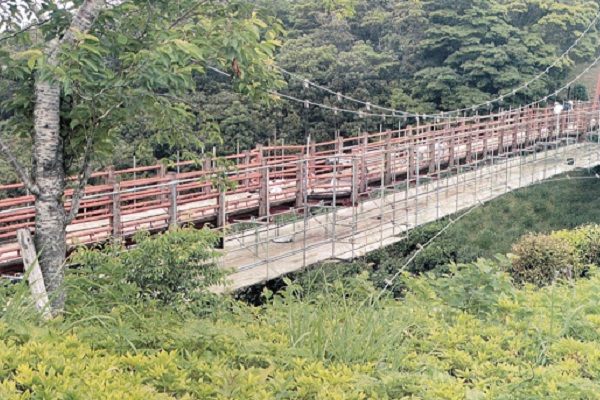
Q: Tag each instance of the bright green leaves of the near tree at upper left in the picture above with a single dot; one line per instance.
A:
(138, 59)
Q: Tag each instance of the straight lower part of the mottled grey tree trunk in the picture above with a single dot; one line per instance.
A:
(50, 229)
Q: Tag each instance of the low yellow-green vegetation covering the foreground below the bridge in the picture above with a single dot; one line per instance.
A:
(470, 334)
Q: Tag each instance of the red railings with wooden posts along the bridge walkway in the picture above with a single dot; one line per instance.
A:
(118, 205)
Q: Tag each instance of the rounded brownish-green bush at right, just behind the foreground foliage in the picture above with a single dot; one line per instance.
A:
(540, 259)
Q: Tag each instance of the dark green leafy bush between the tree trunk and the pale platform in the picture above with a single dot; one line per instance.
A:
(169, 267)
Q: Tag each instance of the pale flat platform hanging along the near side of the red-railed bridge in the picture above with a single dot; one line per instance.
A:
(270, 249)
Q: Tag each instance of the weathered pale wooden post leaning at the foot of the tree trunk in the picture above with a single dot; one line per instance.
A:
(34, 273)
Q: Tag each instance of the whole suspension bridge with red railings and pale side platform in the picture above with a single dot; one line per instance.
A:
(282, 208)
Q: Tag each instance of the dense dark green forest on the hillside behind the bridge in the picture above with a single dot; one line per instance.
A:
(422, 56)
